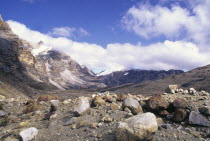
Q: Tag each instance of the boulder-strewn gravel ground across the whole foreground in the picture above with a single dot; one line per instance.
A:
(176, 115)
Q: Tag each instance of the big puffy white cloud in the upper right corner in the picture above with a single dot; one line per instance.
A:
(190, 23)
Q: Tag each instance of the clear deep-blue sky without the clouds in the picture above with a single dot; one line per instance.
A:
(101, 18)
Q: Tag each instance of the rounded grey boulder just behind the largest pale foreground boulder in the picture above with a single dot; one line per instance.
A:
(133, 105)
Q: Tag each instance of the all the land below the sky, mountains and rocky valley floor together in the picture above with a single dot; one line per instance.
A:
(50, 97)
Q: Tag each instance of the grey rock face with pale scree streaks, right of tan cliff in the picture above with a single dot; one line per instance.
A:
(65, 73)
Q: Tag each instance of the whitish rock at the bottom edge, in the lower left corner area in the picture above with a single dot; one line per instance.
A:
(29, 134)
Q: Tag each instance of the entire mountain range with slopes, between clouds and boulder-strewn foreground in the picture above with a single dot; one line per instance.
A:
(22, 72)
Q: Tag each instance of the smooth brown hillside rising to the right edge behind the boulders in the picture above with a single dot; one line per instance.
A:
(198, 78)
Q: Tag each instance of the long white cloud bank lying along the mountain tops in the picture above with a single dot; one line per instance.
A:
(158, 56)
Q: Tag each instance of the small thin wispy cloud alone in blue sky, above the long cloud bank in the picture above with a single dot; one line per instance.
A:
(68, 32)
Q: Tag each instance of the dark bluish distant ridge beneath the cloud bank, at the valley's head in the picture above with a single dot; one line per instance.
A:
(135, 76)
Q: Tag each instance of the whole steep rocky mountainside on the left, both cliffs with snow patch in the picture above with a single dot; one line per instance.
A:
(21, 58)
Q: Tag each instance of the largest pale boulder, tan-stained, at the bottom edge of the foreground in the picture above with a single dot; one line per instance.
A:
(137, 128)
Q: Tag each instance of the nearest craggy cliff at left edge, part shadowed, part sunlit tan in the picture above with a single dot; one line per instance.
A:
(15, 55)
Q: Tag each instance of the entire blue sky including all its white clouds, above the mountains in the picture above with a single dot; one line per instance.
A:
(117, 34)
